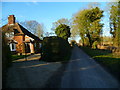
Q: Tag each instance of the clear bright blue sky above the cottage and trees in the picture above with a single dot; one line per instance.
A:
(48, 12)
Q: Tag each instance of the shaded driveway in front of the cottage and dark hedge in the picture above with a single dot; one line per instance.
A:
(31, 73)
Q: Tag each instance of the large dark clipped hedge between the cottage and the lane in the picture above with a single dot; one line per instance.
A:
(55, 49)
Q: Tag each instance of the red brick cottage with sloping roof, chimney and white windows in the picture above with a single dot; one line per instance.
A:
(20, 39)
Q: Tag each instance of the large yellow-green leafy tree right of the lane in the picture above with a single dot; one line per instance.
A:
(87, 22)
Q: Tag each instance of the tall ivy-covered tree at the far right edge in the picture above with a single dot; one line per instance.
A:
(114, 23)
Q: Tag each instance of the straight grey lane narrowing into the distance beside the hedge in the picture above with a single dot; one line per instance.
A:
(83, 72)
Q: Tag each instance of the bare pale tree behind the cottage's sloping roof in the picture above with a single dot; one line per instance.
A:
(34, 27)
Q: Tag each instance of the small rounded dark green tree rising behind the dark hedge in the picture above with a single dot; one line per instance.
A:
(63, 31)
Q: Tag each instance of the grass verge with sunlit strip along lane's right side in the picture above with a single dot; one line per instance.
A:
(105, 58)
